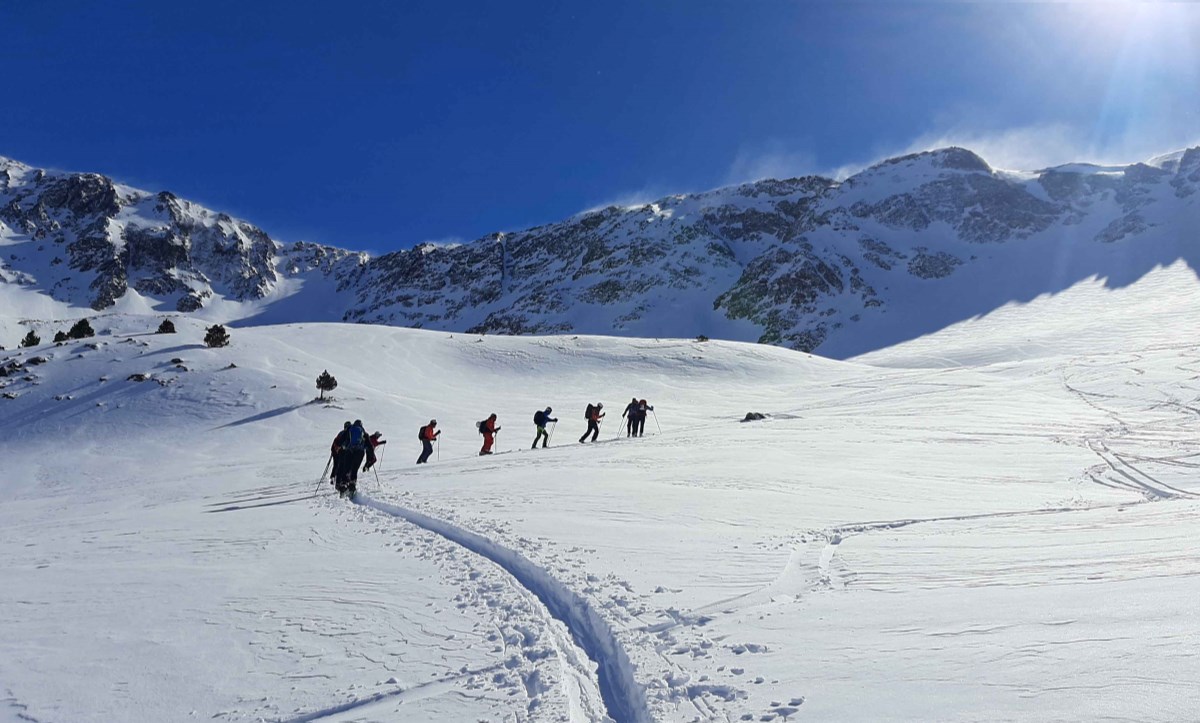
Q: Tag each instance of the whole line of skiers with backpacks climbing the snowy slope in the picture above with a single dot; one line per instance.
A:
(353, 445)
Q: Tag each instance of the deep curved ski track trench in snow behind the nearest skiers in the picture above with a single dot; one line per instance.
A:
(623, 697)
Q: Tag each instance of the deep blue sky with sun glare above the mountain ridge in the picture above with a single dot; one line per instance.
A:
(380, 126)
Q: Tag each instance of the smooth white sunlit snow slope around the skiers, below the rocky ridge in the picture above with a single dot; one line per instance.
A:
(999, 522)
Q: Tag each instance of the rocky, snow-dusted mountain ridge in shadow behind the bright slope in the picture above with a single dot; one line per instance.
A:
(903, 249)
